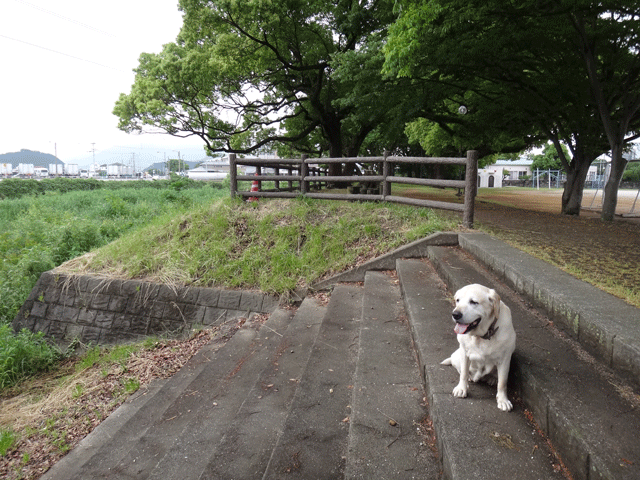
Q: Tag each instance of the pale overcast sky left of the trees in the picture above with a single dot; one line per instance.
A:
(64, 64)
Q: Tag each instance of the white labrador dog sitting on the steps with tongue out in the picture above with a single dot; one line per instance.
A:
(487, 340)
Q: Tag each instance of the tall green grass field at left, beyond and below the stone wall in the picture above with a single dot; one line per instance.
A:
(39, 232)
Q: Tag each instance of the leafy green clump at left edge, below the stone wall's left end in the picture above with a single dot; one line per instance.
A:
(24, 354)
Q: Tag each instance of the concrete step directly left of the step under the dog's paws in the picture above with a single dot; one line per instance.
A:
(387, 409)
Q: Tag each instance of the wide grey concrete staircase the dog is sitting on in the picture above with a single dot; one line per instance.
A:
(354, 389)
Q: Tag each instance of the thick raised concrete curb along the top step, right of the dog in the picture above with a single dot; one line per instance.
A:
(606, 326)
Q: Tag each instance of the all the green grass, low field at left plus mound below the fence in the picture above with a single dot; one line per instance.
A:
(182, 235)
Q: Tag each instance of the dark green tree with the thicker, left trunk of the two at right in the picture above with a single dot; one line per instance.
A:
(527, 52)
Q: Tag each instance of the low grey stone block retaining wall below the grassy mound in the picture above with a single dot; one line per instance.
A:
(101, 310)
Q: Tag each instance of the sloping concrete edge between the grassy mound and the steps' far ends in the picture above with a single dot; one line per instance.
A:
(415, 249)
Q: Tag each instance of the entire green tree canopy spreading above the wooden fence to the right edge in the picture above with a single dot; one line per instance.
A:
(357, 76)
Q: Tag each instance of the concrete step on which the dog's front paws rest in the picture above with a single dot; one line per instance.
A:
(475, 439)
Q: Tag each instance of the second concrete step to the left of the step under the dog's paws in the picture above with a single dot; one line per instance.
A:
(313, 443)
